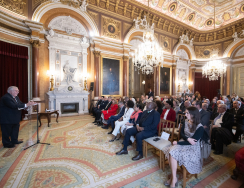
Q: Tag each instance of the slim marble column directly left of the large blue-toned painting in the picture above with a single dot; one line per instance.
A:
(96, 72)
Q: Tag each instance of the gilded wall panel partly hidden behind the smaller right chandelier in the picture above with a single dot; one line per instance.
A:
(203, 52)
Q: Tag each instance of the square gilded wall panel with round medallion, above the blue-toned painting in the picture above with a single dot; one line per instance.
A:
(111, 28)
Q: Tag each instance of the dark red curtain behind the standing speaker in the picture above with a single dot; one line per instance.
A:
(14, 69)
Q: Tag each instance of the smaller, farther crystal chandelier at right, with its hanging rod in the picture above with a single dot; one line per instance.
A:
(215, 68)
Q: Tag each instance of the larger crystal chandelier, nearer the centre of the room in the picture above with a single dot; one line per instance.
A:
(149, 54)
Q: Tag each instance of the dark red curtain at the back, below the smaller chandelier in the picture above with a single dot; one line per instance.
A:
(205, 87)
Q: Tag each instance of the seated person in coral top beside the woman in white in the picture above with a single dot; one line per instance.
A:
(134, 119)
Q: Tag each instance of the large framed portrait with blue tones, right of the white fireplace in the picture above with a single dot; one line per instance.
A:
(110, 76)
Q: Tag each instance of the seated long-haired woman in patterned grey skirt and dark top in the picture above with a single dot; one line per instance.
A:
(187, 151)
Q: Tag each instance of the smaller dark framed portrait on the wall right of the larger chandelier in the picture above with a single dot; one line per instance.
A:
(165, 80)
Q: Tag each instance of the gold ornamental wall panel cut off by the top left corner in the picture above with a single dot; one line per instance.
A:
(14, 5)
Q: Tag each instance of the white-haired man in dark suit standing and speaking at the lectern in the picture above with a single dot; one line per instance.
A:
(10, 116)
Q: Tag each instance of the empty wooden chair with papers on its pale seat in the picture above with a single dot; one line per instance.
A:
(164, 126)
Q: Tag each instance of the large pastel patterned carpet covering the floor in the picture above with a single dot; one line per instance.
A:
(79, 155)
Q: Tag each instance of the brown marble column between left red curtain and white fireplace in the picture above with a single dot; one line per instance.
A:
(35, 69)
